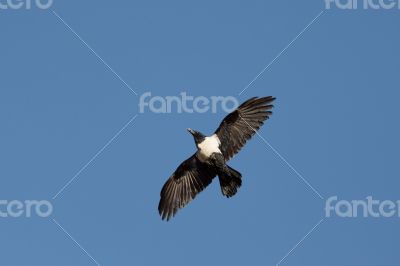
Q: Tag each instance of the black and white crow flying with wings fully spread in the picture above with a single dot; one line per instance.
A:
(213, 152)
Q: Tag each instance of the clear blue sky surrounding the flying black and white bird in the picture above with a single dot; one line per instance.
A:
(335, 122)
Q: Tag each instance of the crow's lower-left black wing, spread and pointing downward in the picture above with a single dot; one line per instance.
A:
(189, 179)
